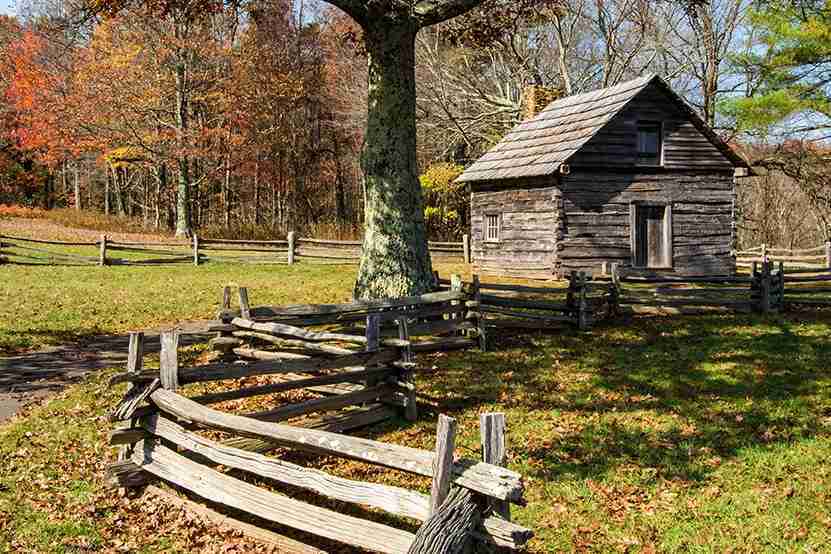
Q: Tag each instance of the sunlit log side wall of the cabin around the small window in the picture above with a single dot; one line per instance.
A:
(529, 215)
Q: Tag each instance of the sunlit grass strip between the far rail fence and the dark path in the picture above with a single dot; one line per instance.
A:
(52, 305)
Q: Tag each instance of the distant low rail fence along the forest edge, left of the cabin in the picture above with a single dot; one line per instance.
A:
(107, 252)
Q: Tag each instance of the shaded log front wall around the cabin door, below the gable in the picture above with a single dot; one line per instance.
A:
(595, 222)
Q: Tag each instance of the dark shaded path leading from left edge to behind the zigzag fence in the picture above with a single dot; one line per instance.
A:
(30, 377)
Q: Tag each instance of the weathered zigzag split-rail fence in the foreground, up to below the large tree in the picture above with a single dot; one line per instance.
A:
(338, 380)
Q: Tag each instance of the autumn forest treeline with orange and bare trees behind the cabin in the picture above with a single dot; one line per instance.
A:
(248, 118)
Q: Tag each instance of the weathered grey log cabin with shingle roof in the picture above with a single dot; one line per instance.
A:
(628, 174)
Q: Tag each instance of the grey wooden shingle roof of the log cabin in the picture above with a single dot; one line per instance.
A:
(538, 146)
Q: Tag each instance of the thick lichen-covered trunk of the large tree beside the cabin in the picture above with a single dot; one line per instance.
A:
(395, 260)
